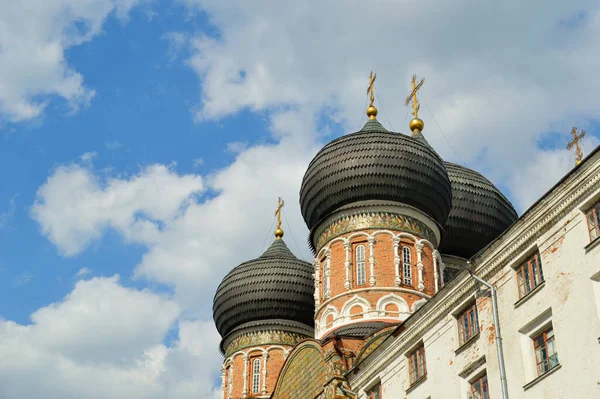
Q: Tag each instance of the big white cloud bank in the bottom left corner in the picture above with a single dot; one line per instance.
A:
(104, 340)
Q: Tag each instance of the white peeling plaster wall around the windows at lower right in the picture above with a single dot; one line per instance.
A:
(568, 299)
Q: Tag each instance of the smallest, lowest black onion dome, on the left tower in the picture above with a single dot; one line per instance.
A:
(275, 286)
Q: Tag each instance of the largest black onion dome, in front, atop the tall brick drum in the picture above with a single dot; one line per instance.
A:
(375, 164)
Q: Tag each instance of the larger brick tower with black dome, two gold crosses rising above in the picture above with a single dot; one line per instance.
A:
(375, 202)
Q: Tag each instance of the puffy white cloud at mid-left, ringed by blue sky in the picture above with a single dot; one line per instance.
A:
(74, 206)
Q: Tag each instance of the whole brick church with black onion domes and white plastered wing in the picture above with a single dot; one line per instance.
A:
(425, 283)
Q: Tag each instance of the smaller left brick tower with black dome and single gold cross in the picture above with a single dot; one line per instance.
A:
(262, 309)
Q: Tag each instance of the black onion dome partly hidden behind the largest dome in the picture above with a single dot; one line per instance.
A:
(480, 212)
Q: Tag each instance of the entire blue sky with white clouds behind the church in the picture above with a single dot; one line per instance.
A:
(144, 143)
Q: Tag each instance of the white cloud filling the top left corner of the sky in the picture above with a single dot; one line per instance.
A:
(34, 36)
